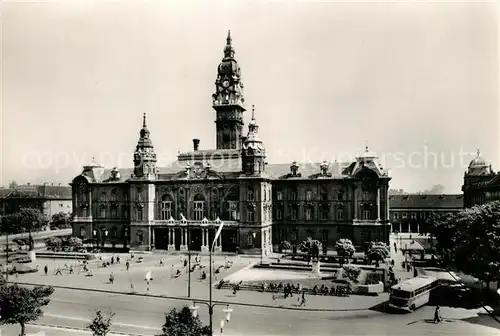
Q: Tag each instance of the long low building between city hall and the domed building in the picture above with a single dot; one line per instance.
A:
(408, 213)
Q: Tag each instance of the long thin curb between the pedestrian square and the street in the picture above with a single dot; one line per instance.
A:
(199, 299)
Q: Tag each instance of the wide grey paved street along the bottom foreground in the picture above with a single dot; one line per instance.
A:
(145, 316)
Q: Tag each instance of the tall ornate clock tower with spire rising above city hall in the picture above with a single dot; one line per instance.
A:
(228, 100)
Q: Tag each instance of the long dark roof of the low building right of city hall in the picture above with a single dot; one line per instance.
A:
(426, 201)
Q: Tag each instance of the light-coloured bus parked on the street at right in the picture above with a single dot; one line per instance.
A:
(412, 293)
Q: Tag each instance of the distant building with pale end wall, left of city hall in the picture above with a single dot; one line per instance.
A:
(49, 199)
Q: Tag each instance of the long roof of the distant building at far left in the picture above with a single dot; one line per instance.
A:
(37, 191)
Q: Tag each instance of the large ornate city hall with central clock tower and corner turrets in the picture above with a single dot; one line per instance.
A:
(181, 206)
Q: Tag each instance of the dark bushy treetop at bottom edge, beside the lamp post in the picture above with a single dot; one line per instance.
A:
(182, 322)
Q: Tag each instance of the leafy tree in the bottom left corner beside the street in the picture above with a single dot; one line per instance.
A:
(20, 305)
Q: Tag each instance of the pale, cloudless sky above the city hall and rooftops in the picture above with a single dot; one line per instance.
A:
(416, 82)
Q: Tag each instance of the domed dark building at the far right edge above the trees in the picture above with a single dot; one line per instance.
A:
(481, 183)
